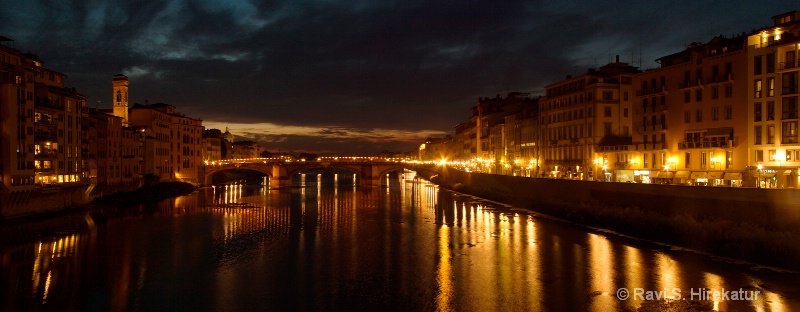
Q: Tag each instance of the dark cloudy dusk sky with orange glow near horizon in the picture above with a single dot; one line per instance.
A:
(352, 77)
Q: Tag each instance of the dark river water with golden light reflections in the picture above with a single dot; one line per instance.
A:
(323, 246)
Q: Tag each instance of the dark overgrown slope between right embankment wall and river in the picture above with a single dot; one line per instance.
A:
(742, 240)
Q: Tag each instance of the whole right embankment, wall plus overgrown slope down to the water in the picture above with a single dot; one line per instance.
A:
(755, 225)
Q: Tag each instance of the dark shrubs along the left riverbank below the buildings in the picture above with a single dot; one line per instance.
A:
(147, 194)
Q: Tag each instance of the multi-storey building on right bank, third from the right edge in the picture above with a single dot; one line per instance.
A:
(579, 114)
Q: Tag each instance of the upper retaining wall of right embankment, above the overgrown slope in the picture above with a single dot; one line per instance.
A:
(773, 208)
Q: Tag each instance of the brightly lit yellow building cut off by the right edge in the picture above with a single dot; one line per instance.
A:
(772, 99)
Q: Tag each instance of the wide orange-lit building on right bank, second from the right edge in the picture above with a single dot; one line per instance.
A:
(690, 117)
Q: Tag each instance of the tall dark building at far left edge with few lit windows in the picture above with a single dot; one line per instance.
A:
(41, 124)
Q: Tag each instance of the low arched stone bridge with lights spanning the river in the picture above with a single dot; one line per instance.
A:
(368, 170)
